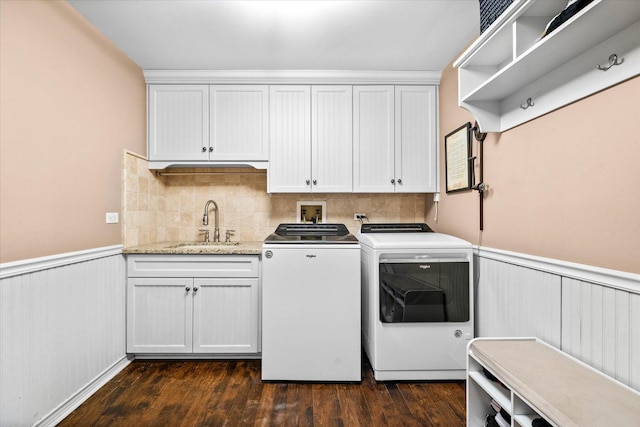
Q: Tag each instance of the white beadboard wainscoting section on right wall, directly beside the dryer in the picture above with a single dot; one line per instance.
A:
(513, 301)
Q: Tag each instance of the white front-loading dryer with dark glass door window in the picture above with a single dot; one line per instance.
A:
(417, 302)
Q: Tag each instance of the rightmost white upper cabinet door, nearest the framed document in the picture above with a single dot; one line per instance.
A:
(415, 139)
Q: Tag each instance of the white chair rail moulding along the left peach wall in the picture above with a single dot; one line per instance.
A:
(31, 265)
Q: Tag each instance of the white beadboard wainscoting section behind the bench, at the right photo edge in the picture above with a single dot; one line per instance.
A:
(601, 327)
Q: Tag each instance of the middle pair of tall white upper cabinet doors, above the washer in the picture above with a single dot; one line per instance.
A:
(310, 139)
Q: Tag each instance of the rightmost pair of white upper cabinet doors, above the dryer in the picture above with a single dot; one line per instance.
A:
(395, 139)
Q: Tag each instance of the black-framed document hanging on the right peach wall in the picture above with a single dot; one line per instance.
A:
(457, 152)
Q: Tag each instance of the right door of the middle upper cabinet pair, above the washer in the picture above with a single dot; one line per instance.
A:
(331, 139)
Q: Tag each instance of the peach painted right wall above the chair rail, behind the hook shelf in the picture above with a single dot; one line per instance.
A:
(564, 186)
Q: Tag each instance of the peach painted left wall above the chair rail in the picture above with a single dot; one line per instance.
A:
(70, 101)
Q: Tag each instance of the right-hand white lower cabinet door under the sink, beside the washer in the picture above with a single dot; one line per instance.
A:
(225, 316)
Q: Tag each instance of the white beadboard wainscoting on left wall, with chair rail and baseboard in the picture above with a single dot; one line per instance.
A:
(62, 332)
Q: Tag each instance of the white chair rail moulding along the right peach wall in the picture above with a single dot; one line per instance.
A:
(622, 280)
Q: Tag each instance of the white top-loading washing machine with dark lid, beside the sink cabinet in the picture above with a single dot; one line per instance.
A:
(311, 304)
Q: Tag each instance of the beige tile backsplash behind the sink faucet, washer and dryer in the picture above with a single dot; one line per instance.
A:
(170, 207)
